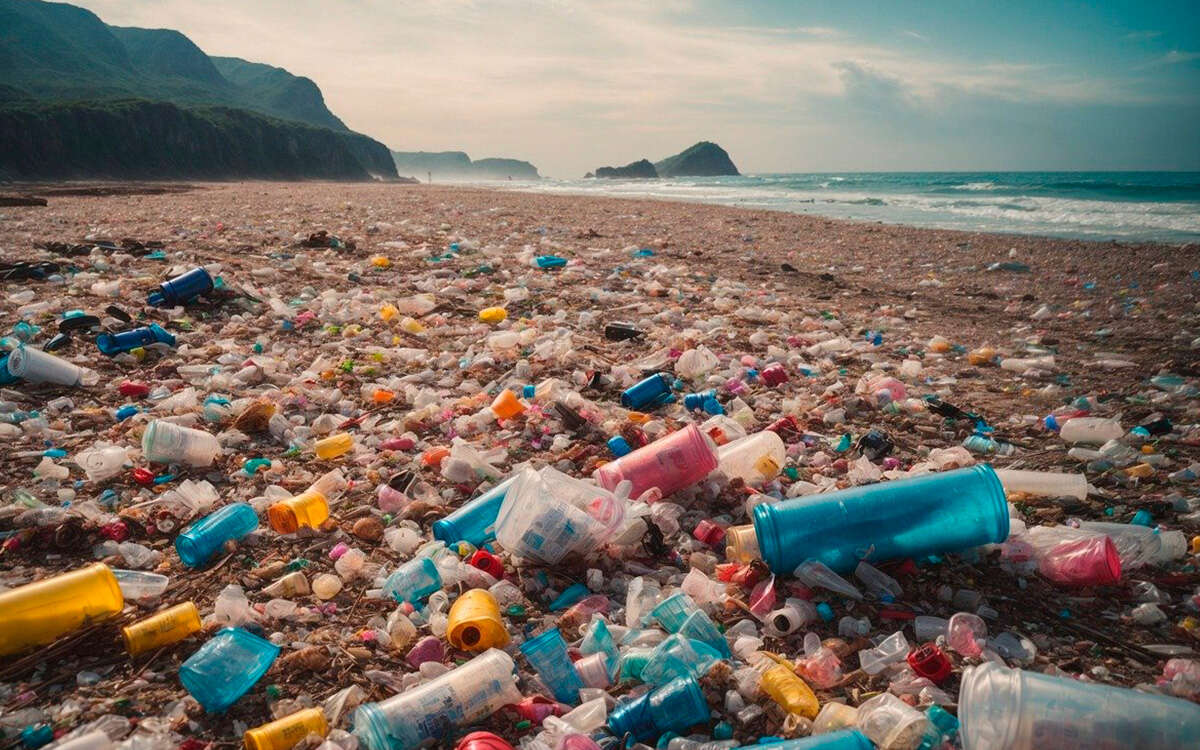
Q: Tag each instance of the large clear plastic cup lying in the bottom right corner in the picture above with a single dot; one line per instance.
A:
(1016, 710)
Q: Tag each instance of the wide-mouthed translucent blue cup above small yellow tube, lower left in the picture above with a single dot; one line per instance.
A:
(226, 668)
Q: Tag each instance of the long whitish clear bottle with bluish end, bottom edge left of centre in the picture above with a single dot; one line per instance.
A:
(460, 698)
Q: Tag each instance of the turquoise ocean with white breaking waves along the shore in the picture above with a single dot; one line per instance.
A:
(1162, 207)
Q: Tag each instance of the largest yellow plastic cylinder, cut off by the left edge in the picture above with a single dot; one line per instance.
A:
(40, 613)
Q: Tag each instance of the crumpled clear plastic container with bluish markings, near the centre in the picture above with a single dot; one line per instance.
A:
(548, 515)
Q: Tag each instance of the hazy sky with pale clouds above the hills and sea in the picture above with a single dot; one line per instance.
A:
(785, 86)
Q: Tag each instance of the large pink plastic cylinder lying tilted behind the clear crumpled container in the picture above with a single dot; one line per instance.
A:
(670, 464)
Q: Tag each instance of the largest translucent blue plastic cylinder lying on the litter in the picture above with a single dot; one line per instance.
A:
(887, 521)
